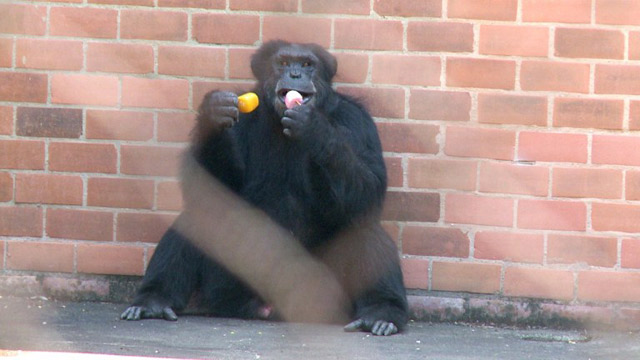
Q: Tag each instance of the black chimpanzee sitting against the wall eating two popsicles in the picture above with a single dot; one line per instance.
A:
(315, 169)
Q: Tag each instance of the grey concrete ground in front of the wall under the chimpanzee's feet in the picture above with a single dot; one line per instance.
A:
(43, 325)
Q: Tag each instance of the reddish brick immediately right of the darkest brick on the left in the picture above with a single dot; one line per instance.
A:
(119, 125)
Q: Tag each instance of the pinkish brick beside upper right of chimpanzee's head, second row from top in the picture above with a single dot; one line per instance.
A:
(372, 34)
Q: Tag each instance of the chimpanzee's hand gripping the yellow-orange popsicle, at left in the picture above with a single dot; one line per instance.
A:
(219, 109)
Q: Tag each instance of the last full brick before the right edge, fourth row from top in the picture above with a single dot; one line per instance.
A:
(588, 113)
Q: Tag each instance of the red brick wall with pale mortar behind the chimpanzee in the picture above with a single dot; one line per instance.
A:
(509, 128)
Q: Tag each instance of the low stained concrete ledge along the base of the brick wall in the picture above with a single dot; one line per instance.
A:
(432, 306)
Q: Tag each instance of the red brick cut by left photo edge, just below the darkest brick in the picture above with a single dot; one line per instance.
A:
(21, 154)
